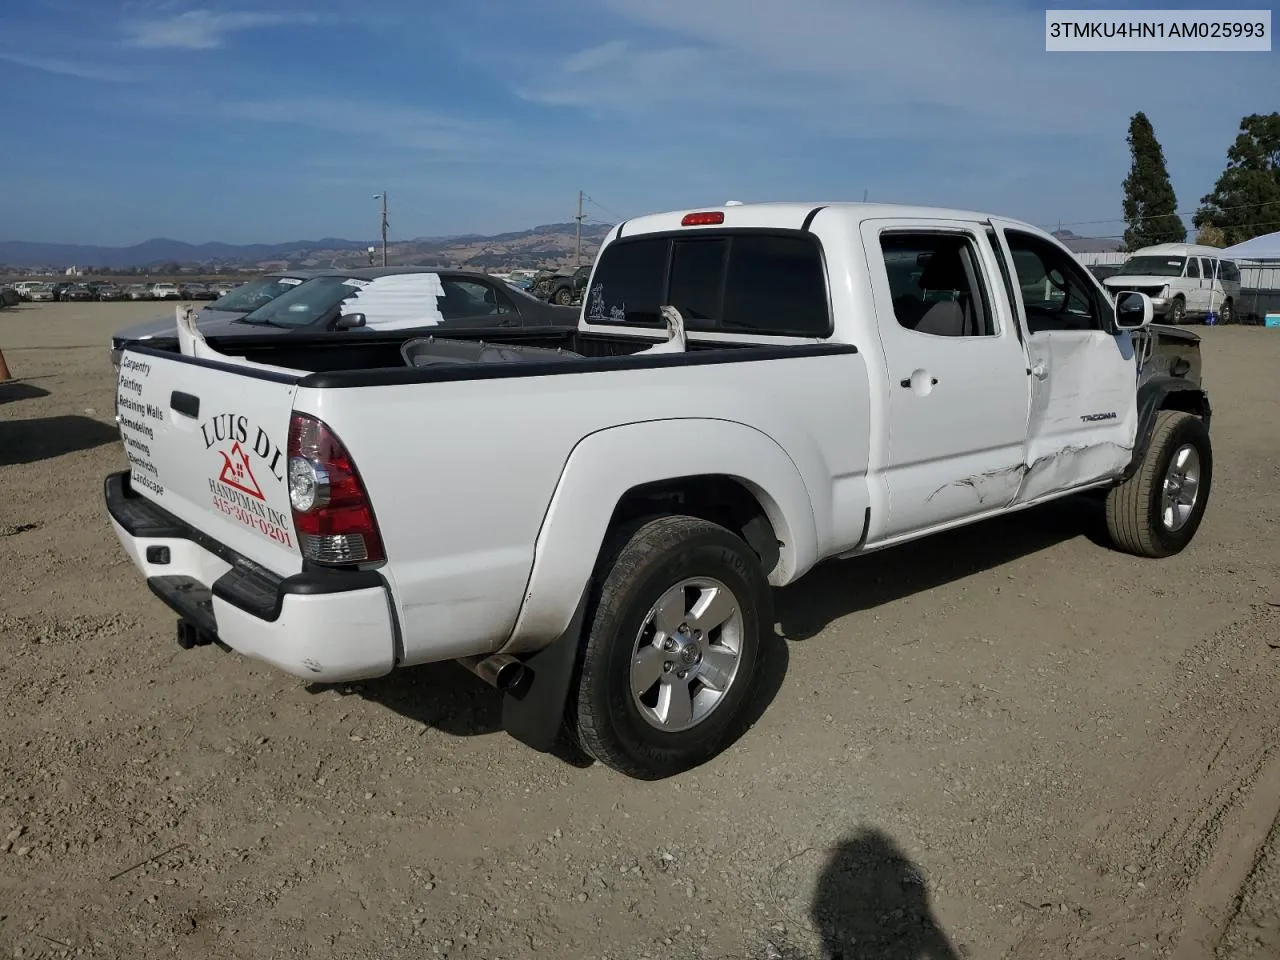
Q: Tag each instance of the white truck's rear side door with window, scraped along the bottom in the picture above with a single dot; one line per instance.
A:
(957, 374)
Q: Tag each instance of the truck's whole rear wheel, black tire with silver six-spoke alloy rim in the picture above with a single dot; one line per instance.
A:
(673, 651)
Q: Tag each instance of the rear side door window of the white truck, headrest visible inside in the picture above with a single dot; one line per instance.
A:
(936, 284)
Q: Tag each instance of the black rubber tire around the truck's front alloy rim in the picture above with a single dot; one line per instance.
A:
(1135, 509)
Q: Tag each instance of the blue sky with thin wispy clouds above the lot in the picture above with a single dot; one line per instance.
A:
(280, 120)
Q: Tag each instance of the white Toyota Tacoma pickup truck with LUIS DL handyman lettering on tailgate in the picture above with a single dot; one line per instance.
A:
(591, 519)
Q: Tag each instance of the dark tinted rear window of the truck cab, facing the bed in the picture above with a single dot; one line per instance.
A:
(738, 281)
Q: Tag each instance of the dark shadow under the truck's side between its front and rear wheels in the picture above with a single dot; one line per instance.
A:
(839, 588)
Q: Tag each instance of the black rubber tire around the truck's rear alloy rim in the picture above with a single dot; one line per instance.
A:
(637, 570)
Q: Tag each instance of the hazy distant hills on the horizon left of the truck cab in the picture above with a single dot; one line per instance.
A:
(546, 243)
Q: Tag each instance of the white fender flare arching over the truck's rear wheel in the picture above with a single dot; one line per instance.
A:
(606, 465)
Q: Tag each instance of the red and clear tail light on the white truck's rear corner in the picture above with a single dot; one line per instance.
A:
(332, 514)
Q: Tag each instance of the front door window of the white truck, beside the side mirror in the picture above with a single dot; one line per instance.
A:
(1057, 292)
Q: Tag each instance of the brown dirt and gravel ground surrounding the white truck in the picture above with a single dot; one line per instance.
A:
(1009, 742)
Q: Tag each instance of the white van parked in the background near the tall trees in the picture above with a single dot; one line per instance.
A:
(1183, 281)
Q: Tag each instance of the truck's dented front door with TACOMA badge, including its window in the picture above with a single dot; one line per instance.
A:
(1085, 380)
